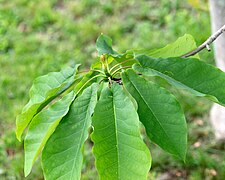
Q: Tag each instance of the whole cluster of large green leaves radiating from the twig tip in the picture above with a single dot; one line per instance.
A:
(112, 98)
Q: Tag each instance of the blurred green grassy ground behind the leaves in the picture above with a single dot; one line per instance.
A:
(40, 36)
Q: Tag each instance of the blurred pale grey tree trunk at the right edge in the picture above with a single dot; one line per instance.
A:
(217, 114)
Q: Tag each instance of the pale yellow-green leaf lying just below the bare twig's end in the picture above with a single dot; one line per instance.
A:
(180, 47)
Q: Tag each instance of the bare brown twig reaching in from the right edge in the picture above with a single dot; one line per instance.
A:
(206, 43)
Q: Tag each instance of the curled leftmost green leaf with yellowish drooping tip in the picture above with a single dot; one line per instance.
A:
(42, 90)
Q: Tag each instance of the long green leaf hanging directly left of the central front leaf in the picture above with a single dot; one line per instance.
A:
(62, 157)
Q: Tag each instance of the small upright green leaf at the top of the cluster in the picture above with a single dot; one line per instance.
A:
(104, 45)
